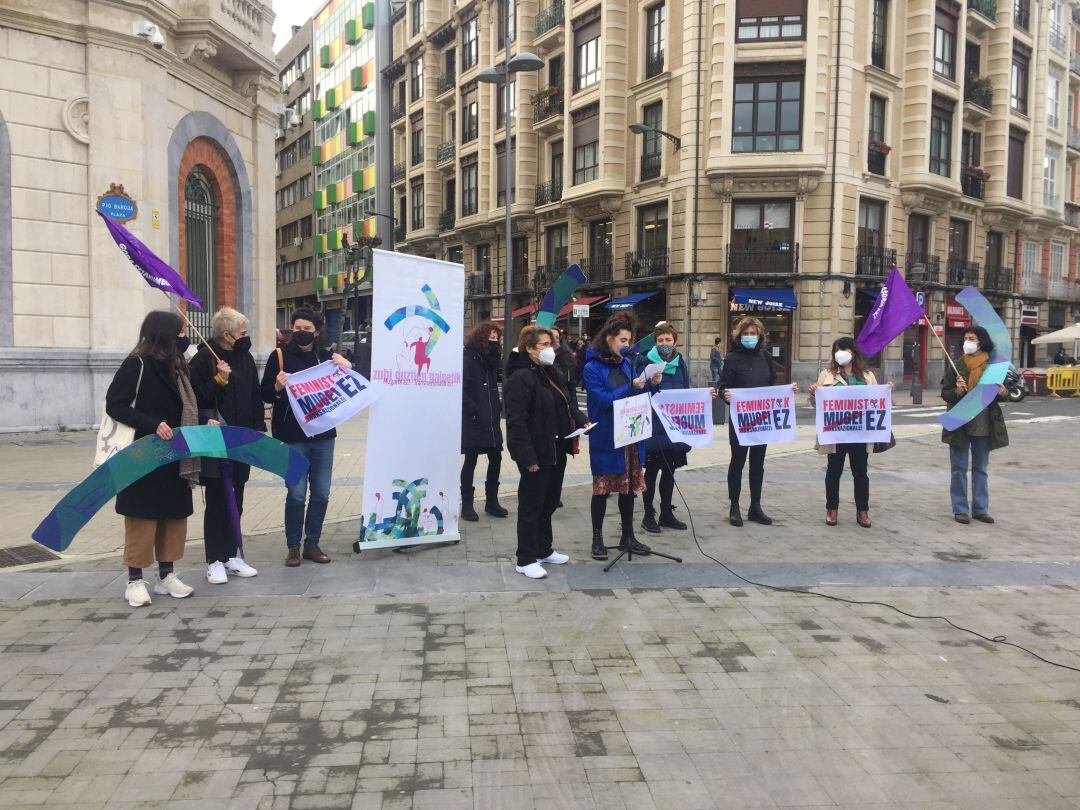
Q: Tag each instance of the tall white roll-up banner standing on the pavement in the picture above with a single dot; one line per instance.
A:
(414, 430)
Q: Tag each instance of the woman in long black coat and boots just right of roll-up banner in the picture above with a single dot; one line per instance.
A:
(481, 413)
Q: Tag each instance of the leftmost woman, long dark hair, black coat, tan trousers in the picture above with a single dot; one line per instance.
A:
(152, 393)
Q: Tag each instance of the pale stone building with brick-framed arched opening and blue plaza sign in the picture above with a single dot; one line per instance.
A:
(87, 105)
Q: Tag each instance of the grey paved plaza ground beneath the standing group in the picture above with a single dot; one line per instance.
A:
(440, 679)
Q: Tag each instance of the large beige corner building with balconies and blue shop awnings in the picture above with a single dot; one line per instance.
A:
(790, 156)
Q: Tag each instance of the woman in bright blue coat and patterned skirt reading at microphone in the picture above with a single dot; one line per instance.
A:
(609, 377)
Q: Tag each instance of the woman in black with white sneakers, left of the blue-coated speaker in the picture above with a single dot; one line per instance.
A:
(541, 414)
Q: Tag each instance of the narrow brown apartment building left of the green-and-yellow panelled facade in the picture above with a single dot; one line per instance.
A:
(295, 177)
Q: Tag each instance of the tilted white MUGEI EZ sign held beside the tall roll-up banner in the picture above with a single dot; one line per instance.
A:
(326, 396)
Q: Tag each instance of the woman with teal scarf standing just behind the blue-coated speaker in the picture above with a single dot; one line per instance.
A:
(663, 456)
